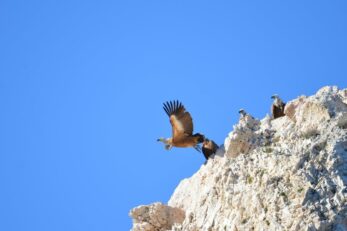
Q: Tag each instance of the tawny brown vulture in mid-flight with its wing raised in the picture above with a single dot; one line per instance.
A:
(182, 127)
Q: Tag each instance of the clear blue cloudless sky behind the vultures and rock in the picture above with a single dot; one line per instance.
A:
(82, 85)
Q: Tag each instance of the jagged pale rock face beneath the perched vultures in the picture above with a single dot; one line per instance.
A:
(284, 174)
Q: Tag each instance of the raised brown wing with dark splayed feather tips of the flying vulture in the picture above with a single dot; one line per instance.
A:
(180, 119)
